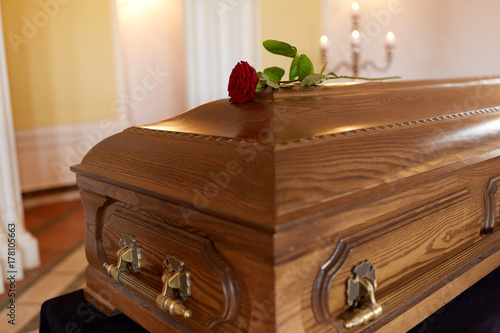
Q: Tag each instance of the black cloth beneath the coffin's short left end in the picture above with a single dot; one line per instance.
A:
(72, 313)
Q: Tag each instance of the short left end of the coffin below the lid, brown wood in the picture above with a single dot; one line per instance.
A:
(226, 261)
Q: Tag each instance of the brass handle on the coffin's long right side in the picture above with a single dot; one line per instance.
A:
(361, 296)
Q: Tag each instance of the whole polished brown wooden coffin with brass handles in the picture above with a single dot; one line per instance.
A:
(342, 208)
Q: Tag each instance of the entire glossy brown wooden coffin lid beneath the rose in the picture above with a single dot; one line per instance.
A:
(290, 152)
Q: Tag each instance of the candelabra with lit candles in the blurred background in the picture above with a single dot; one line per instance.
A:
(356, 63)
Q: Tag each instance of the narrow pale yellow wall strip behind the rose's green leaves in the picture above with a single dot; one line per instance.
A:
(296, 22)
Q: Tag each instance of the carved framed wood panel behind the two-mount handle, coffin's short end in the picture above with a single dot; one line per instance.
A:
(215, 294)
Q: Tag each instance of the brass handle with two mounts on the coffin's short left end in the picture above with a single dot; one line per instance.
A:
(176, 278)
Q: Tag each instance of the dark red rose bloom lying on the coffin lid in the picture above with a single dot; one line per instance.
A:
(242, 83)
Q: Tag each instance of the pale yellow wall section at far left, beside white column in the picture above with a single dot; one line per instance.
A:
(60, 61)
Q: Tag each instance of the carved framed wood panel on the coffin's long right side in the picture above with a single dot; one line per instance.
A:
(400, 248)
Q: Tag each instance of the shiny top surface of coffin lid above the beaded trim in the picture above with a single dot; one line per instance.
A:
(308, 112)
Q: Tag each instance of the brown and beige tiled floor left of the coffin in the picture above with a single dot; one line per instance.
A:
(60, 230)
